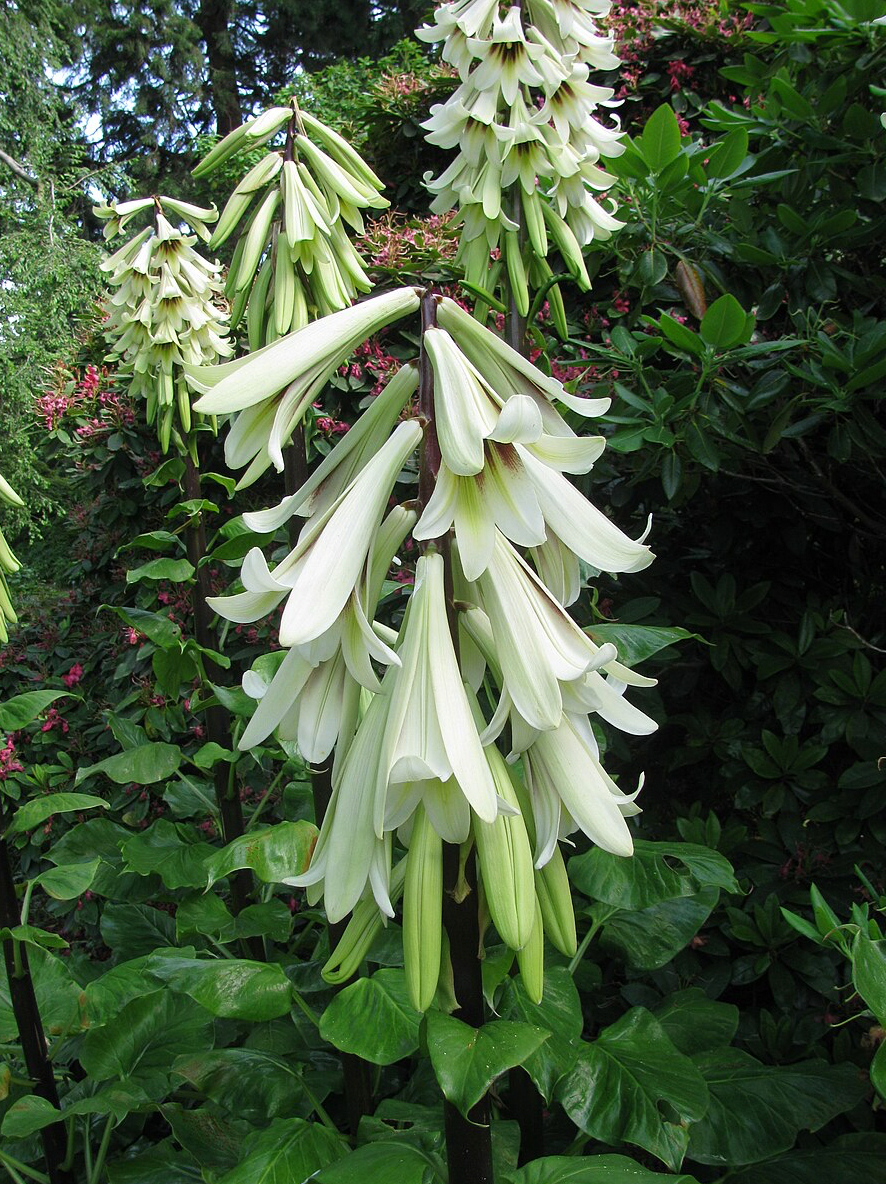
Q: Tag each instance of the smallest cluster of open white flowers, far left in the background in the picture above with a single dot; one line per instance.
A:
(166, 311)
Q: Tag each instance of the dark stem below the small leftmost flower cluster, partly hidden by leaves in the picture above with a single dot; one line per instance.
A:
(219, 725)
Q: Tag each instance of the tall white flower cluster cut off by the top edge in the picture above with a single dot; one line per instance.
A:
(528, 175)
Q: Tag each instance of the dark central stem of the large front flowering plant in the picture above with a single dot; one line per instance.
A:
(470, 1150)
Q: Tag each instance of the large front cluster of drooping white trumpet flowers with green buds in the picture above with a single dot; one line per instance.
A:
(416, 715)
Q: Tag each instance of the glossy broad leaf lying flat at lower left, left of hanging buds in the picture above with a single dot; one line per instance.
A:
(232, 988)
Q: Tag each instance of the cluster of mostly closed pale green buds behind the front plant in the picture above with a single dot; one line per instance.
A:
(294, 259)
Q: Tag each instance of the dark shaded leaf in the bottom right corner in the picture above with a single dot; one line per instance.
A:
(851, 1160)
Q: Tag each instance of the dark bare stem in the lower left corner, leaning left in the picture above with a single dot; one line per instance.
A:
(28, 1020)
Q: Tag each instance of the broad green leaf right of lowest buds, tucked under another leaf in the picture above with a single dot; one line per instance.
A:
(650, 938)
